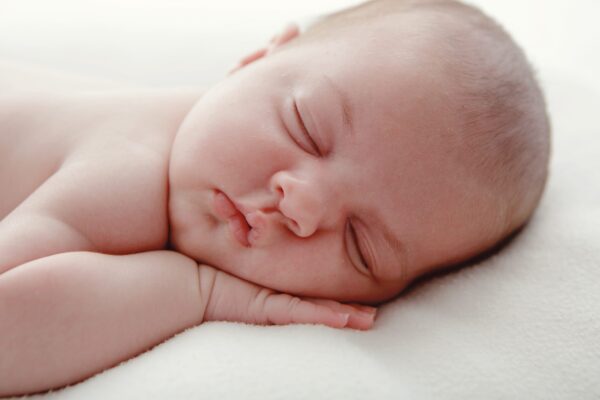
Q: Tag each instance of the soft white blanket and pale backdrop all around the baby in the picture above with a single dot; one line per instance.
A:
(523, 323)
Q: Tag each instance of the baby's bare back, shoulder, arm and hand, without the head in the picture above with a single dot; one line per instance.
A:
(84, 236)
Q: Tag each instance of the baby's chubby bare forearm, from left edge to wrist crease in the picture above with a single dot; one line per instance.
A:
(68, 316)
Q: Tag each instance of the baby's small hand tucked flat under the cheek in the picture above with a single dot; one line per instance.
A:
(234, 299)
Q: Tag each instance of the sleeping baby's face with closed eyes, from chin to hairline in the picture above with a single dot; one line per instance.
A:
(336, 155)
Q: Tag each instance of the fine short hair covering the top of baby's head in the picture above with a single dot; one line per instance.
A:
(504, 129)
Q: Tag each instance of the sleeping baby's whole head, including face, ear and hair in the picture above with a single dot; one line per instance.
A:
(388, 141)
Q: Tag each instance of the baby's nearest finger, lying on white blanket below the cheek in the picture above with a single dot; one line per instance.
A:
(282, 309)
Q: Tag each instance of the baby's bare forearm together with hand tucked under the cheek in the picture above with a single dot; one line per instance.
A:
(68, 316)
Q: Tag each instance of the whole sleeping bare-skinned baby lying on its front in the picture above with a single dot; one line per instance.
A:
(326, 173)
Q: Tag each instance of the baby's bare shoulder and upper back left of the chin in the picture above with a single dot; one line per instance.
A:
(98, 165)
